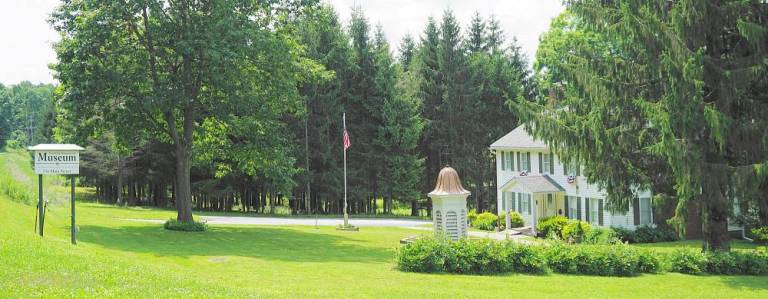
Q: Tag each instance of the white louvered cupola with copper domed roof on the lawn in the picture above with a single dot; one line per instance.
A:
(449, 205)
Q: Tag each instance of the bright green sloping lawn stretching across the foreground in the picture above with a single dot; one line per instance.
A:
(131, 259)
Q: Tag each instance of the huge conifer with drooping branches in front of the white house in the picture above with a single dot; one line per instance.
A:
(647, 90)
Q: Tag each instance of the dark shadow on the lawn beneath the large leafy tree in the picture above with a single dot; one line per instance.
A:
(267, 243)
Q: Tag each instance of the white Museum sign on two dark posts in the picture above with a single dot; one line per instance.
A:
(60, 159)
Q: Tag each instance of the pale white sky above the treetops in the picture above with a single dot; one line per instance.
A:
(26, 37)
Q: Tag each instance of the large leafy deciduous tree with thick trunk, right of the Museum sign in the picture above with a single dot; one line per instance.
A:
(162, 68)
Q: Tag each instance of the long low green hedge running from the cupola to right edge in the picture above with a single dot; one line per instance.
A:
(491, 257)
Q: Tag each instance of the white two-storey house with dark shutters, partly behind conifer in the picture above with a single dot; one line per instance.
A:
(534, 182)
